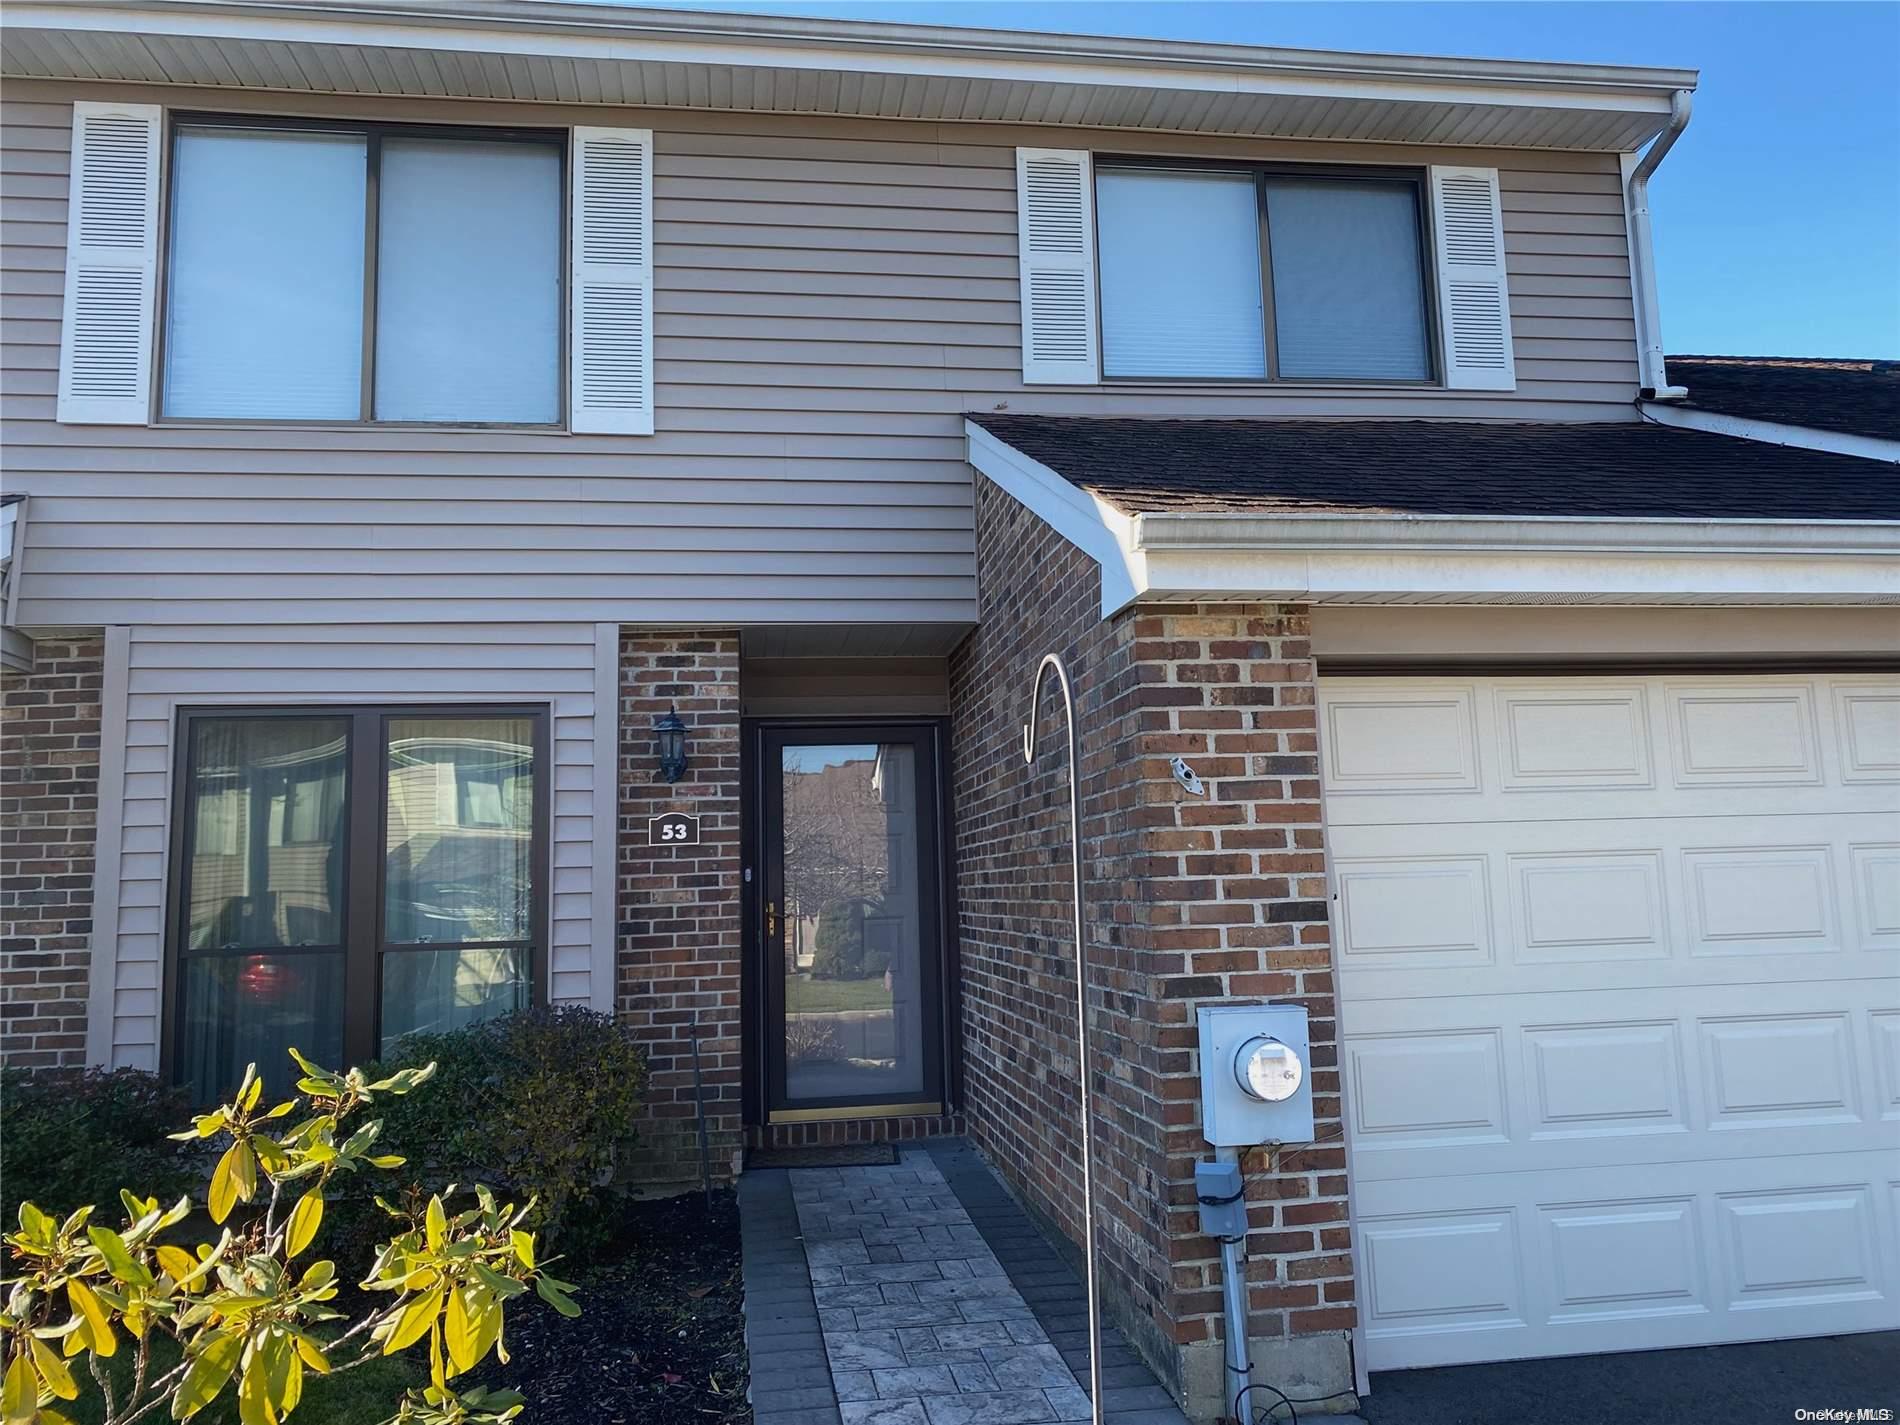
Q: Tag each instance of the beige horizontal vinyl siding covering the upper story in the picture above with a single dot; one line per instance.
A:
(833, 295)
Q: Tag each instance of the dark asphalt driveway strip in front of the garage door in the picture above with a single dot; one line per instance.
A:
(1717, 1386)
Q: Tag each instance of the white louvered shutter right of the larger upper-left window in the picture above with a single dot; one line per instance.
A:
(611, 383)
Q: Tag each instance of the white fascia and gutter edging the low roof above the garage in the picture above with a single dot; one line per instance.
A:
(1451, 560)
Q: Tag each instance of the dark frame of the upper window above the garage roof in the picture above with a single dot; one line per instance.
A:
(1263, 174)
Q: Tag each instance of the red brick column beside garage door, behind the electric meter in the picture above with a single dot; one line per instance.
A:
(1240, 915)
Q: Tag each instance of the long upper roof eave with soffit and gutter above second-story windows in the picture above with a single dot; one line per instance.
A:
(525, 50)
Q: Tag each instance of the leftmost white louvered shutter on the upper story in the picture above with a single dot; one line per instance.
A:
(105, 337)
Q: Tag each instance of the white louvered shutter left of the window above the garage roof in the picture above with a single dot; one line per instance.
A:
(1055, 240)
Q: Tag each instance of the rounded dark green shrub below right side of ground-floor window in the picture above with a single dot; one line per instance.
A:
(539, 1103)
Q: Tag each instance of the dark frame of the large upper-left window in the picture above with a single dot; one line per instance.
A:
(373, 132)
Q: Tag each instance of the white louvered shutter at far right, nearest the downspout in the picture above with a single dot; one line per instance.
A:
(1473, 299)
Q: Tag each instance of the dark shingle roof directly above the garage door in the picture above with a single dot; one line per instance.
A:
(1449, 468)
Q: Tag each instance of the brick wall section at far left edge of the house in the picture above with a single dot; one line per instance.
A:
(48, 822)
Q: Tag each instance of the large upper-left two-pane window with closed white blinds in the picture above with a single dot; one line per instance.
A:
(364, 275)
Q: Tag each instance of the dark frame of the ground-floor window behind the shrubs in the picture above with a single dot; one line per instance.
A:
(366, 837)
